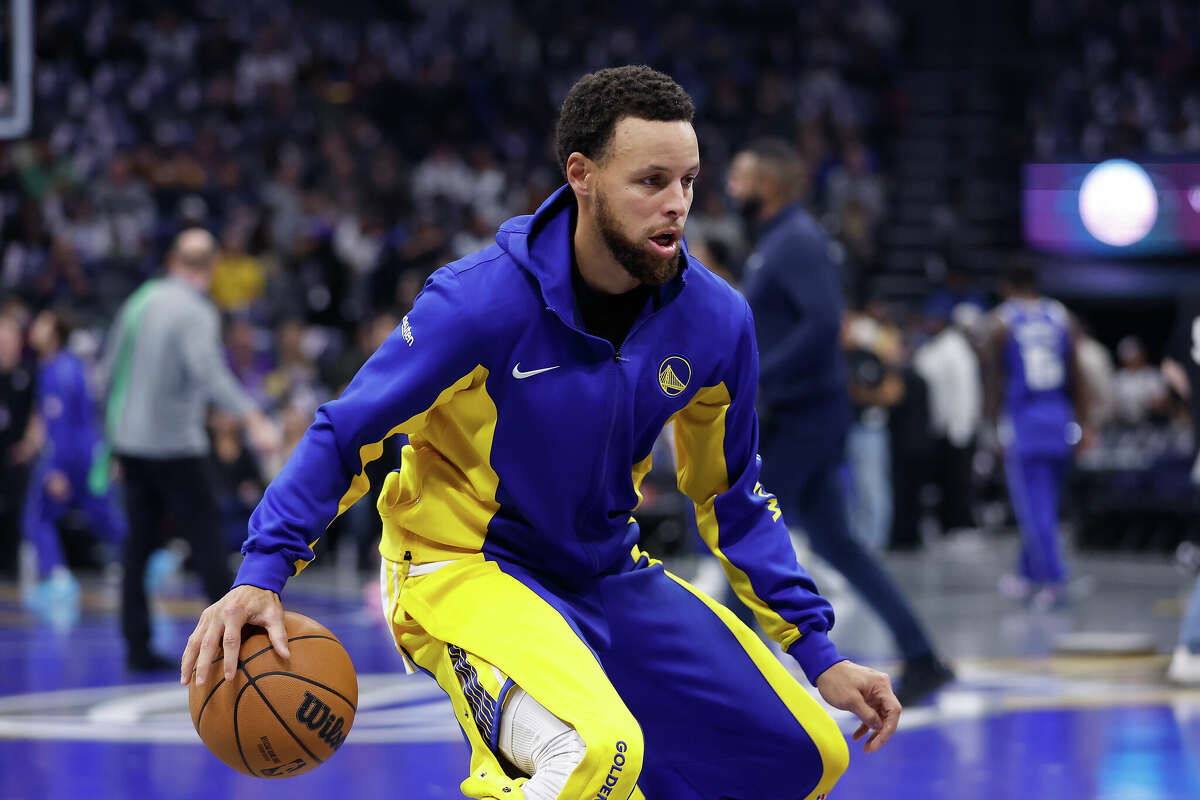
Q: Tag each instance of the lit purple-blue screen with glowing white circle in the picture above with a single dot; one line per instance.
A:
(1113, 208)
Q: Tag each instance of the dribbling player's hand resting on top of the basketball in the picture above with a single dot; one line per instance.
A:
(220, 630)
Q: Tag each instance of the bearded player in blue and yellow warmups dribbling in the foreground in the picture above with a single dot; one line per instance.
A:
(532, 380)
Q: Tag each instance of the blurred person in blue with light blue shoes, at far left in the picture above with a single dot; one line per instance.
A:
(64, 478)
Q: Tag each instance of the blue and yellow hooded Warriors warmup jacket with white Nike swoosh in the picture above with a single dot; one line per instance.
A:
(529, 438)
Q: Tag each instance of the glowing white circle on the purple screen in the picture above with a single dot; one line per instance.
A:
(1118, 203)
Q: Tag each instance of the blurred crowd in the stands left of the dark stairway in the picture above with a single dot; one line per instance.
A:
(344, 152)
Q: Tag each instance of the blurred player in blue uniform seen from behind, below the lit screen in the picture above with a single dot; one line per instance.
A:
(1036, 396)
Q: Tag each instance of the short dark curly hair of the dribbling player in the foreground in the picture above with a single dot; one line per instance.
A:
(601, 100)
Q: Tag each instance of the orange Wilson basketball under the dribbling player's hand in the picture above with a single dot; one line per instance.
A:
(278, 719)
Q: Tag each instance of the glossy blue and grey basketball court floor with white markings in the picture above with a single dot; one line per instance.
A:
(1025, 720)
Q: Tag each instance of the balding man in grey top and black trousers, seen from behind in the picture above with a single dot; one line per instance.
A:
(164, 368)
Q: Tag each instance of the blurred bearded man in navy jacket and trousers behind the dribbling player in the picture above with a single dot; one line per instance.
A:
(793, 286)
